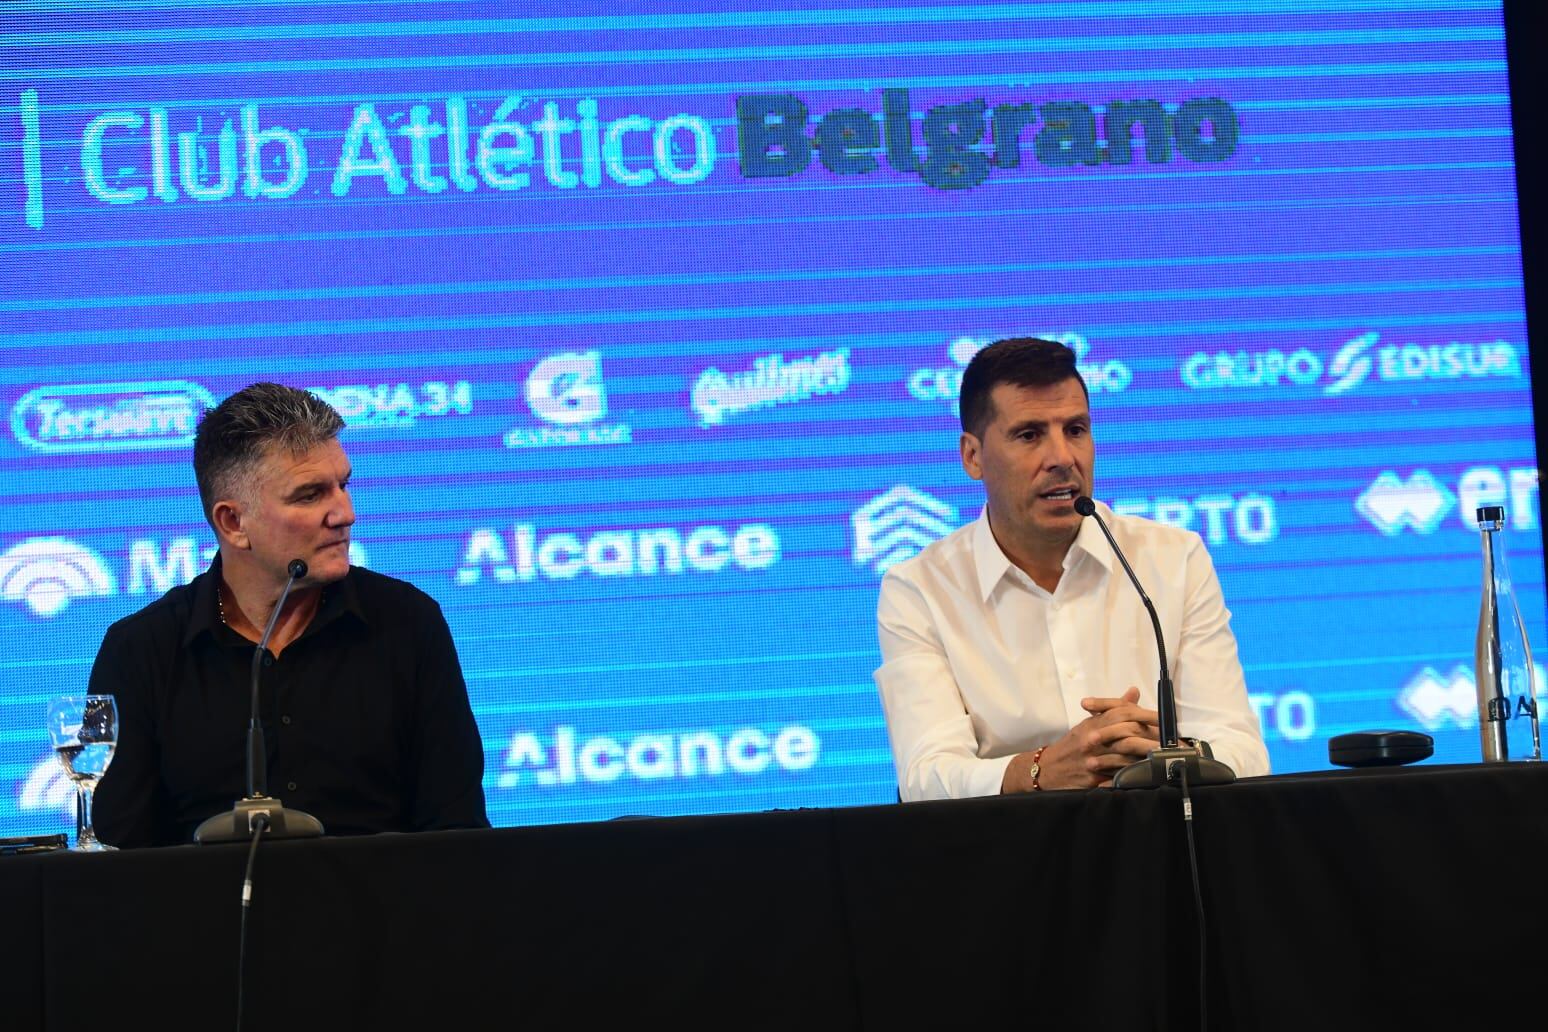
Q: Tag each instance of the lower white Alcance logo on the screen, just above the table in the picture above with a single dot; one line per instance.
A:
(654, 757)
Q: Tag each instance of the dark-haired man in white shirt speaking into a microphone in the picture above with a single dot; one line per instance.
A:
(1016, 654)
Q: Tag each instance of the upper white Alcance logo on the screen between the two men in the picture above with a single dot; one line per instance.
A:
(635, 553)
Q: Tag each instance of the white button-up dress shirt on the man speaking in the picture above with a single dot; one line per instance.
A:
(981, 665)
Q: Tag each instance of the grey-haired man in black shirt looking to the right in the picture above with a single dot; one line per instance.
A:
(365, 708)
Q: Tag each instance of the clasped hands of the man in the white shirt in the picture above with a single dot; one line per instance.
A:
(1117, 733)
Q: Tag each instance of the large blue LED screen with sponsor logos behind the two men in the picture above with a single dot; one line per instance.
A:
(648, 327)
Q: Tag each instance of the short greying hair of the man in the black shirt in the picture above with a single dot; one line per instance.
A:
(238, 434)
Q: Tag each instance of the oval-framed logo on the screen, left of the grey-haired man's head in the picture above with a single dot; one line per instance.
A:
(109, 417)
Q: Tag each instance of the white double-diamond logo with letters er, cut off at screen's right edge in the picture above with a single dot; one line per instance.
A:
(1420, 502)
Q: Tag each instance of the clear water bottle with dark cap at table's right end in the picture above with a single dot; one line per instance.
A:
(1502, 658)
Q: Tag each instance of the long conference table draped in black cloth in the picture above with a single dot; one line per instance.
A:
(1346, 900)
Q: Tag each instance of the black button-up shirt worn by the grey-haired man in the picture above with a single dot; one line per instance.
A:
(366, 716)
